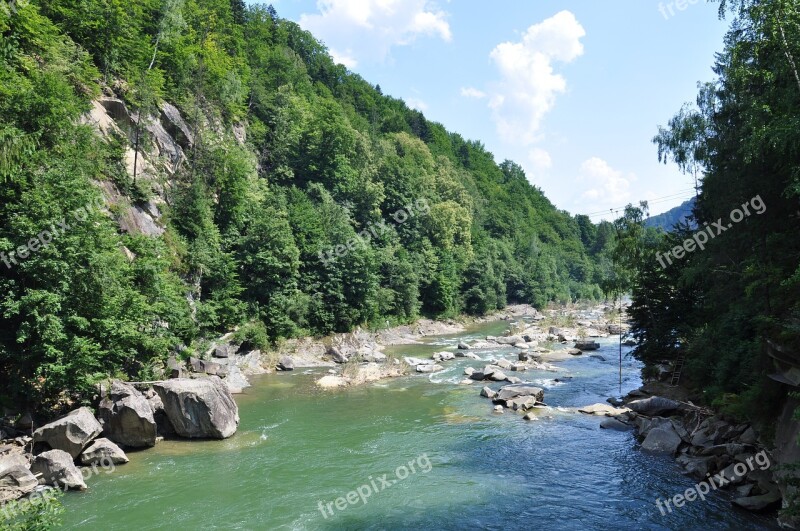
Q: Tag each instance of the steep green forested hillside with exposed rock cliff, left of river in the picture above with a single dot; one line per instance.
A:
(173, 170)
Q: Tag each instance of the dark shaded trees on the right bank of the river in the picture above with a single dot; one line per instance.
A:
(724, 307)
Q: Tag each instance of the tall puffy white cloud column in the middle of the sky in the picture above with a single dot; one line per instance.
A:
(529, 83)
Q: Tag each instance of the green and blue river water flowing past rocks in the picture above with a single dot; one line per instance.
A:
(425, 452)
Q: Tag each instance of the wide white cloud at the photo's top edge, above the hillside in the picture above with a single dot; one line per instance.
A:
(368, 29)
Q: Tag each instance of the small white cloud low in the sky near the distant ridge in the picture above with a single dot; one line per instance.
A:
(606, 187)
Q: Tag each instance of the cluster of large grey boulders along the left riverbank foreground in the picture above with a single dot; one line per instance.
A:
(63, 453)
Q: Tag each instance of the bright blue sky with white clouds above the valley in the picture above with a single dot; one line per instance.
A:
(572, 91)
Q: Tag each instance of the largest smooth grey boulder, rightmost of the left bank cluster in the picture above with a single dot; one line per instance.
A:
(202, 408)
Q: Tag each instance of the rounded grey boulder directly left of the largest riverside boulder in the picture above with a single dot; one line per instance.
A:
(127, 417)
